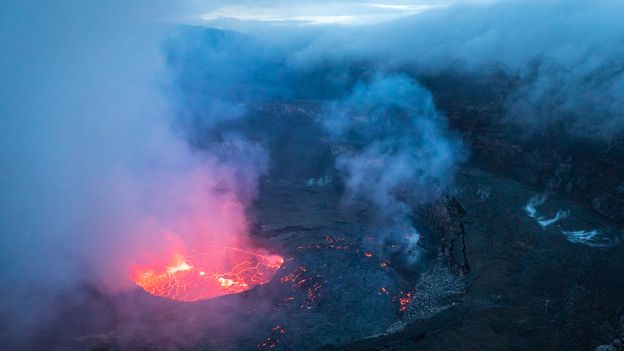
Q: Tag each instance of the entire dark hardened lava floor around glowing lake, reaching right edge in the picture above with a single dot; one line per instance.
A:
(492, 267)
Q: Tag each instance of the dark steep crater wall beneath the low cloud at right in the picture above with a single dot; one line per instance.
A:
(549, 156)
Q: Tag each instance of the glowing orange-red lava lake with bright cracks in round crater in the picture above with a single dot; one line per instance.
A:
(208, 273)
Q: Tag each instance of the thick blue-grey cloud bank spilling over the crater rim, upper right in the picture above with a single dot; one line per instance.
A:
(564, 57)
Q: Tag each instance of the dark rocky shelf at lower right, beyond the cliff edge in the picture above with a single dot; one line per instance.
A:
(528, 288)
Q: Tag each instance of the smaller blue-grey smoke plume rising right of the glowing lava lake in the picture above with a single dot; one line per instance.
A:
(404, 156)
